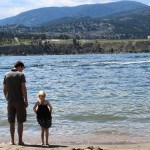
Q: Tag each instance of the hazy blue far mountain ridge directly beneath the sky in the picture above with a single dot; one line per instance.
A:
(43, 15)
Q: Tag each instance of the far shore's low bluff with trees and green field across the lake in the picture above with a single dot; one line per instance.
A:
(61, 47)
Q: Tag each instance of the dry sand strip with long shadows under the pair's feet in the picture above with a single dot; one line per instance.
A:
(145, 146)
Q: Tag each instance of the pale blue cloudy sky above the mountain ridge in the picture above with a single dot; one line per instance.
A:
(9, 8)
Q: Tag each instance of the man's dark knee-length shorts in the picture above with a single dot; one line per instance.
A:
(18, 110)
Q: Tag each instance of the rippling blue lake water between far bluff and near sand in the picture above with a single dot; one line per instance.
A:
(95, 98)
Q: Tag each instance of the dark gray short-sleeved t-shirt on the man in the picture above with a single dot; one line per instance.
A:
(13, 81)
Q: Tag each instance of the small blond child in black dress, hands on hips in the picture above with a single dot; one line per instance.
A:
(43, 110)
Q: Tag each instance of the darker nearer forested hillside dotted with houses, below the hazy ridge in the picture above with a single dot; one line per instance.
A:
(125, 25)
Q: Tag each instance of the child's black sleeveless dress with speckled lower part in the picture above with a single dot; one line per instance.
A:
(44, 117)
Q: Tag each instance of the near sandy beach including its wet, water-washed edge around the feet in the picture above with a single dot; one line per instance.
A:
(74, 142)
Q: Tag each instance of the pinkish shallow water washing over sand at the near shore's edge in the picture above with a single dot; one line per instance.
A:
(103, 139)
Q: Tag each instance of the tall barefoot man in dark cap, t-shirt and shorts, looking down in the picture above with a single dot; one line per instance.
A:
(14, 89)
